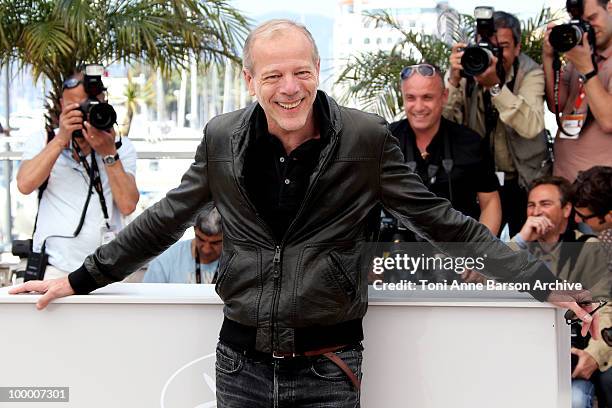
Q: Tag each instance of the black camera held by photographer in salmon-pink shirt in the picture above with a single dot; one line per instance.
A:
(564, 37)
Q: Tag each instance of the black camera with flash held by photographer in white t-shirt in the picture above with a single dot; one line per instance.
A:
(100, 115)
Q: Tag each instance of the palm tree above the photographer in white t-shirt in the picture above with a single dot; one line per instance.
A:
(55, 37)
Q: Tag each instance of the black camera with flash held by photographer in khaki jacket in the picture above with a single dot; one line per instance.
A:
(477, 58)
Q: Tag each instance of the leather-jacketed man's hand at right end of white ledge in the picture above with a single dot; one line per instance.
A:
(569, 299)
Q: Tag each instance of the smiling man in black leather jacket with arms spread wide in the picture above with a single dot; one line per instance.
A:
(294, 177)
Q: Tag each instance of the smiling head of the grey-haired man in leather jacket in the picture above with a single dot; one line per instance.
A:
(284, 77)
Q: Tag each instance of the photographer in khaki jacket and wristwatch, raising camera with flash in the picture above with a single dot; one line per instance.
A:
(507, 112)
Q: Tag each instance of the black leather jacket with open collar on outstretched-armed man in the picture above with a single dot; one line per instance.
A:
(312, 277)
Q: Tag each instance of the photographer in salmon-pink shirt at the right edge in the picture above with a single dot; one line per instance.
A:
(585, 92)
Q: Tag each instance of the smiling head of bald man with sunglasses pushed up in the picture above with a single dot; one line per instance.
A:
(424, 98)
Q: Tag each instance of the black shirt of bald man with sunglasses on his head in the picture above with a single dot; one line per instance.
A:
(472, 171)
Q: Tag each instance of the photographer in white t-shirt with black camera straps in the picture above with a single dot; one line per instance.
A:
(61, 165)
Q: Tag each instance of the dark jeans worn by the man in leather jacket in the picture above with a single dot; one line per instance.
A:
(308, 382)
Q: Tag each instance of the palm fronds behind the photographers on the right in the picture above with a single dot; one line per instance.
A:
(372, 78)
